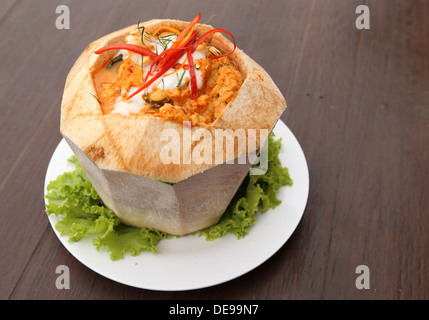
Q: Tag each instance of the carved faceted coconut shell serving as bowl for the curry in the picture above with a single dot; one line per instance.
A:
(122, 155)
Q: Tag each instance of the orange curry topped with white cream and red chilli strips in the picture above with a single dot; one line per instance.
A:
(169, 74)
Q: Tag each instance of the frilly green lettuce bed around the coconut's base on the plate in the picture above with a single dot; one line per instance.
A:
(82, 213)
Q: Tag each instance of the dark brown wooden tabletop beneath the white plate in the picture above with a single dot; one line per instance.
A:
(358, 102)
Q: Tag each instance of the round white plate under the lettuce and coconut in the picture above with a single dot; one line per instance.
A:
(192, 262)
